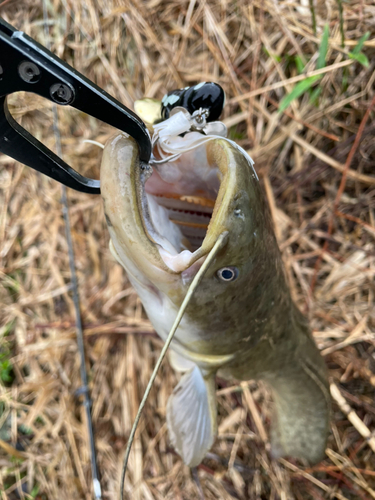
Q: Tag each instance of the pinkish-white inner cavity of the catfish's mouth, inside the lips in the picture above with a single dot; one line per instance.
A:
(181, 196)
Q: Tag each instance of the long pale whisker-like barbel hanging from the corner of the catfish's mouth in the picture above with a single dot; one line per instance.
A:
(220, 242)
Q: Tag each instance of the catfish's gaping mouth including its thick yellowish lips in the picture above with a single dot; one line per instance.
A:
(169, 215)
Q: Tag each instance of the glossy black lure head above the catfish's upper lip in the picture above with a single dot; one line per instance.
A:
(205, 95)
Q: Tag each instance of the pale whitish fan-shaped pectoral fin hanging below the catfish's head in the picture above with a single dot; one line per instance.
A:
(192, 416)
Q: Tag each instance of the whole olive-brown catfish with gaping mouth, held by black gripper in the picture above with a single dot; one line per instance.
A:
(241, 321)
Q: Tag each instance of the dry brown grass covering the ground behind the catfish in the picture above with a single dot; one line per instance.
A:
(326, 235)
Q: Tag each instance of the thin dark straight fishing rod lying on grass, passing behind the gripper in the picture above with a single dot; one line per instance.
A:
(68, 233)
